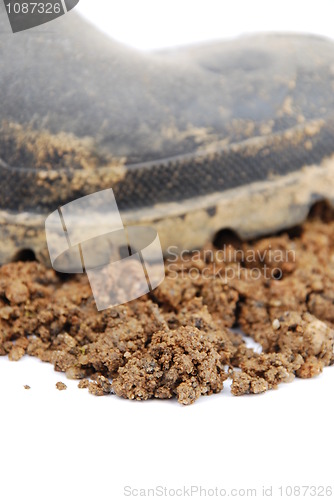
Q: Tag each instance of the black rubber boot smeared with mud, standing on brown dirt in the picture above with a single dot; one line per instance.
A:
(233, 134)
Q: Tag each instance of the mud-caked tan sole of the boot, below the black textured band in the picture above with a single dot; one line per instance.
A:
(257, 209)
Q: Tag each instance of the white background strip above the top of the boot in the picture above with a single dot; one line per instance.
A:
(152, 24)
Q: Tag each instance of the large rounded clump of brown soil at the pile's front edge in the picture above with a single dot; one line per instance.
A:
(182, 363)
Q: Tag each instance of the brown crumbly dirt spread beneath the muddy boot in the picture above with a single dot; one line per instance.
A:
(181, 341)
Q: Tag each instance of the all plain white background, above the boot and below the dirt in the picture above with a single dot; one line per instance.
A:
(62, 445)
